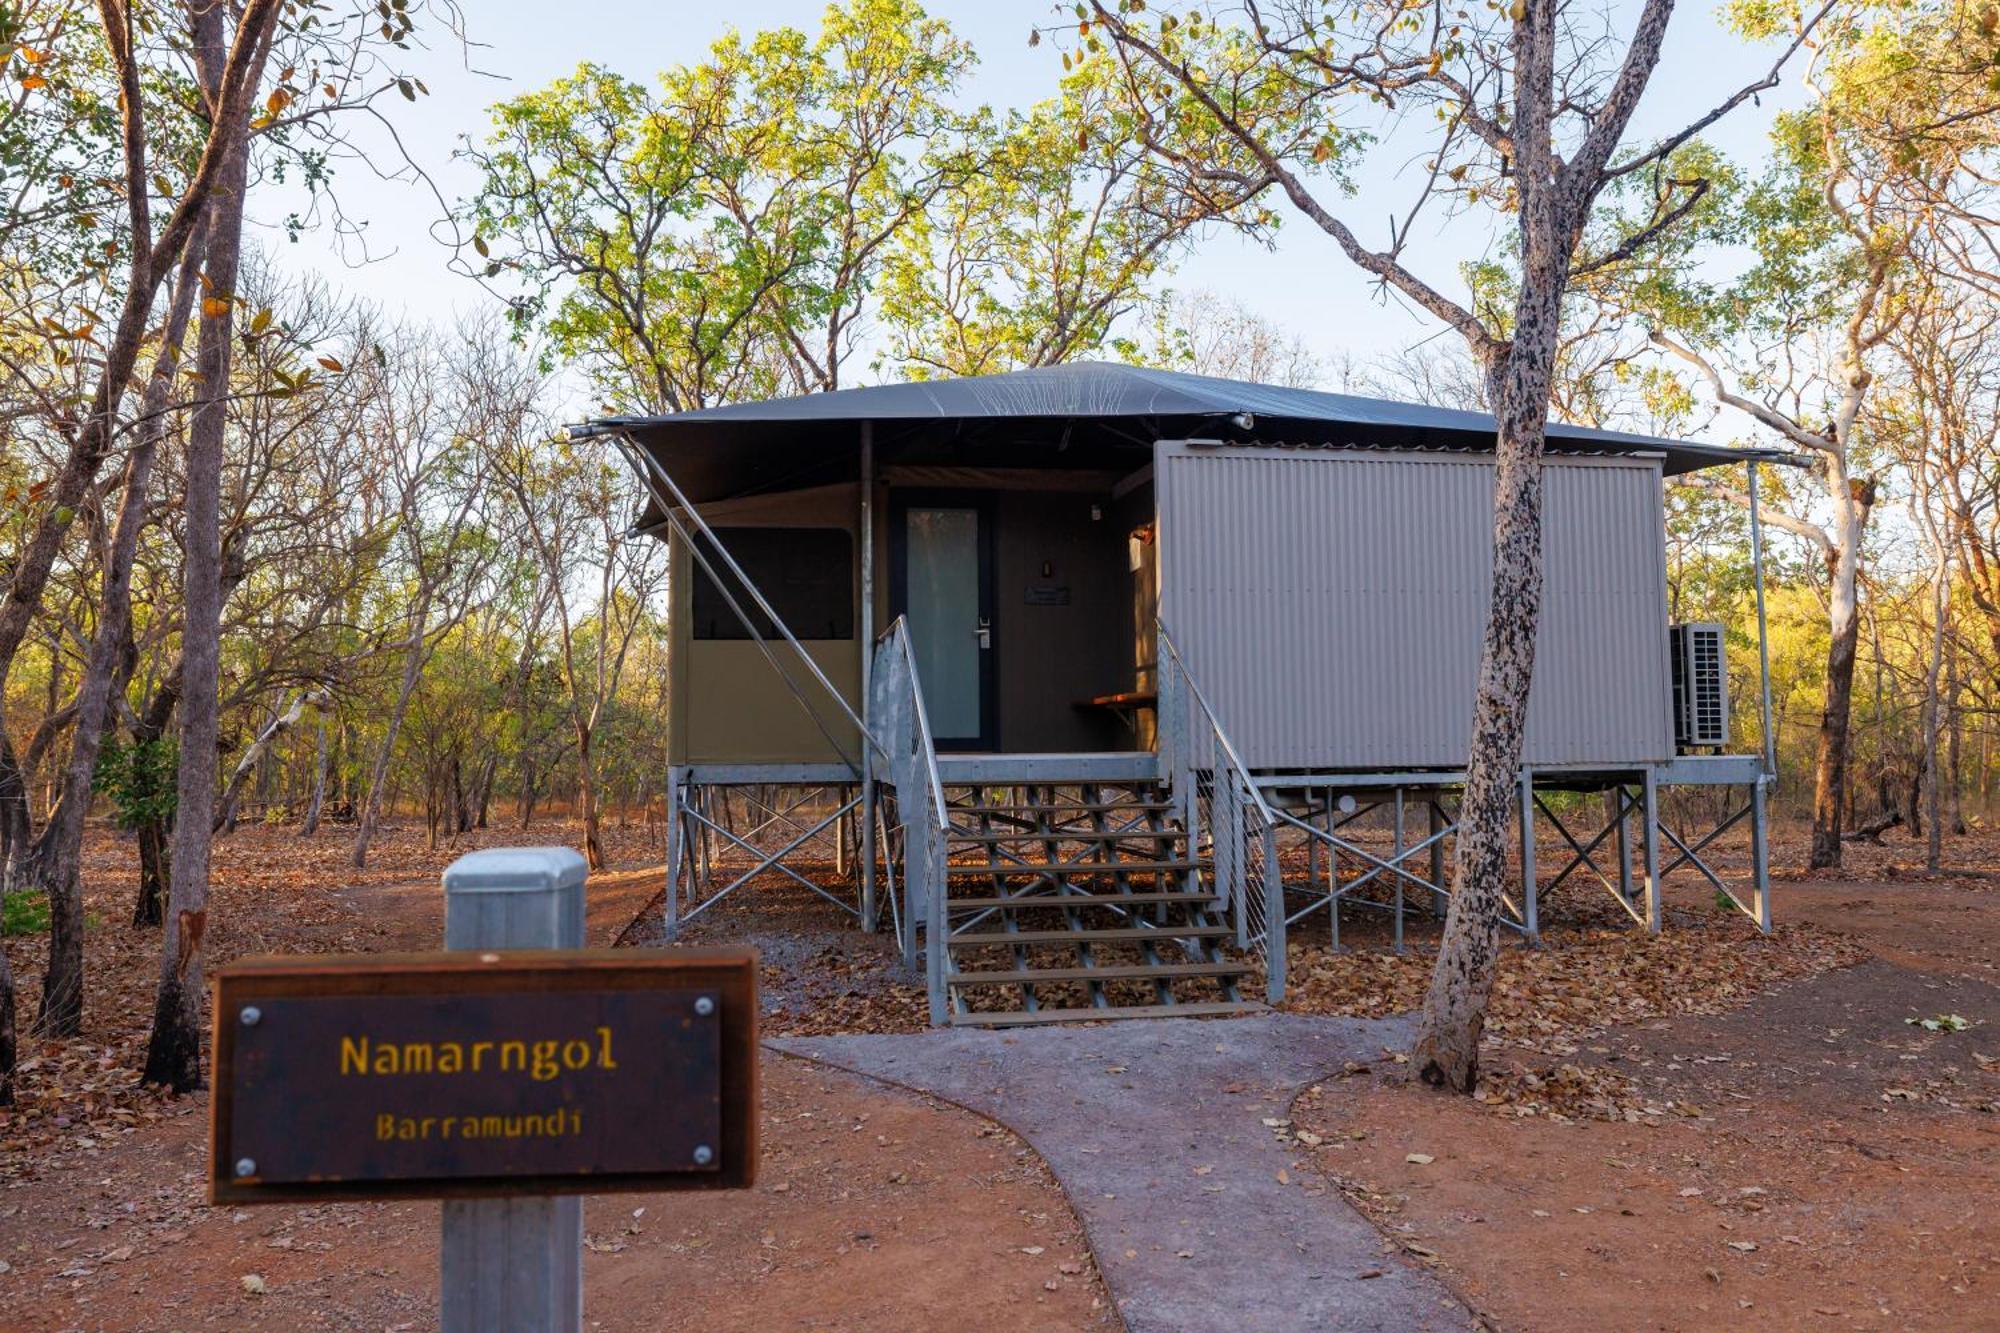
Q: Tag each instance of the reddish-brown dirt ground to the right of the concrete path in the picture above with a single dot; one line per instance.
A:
(1809, 1160)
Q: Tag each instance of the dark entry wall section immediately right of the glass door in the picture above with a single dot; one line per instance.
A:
(1063, 615)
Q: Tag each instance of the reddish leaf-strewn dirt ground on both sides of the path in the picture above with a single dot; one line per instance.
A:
(1703, 1128)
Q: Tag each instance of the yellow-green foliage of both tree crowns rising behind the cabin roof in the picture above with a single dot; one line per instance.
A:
(729, 231)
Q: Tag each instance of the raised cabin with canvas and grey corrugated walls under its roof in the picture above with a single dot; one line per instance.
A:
(1173, 587)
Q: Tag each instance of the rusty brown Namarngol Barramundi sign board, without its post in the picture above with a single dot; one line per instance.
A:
(483, 1074)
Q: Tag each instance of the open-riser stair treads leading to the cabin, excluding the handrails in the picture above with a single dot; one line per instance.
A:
(1075, 904)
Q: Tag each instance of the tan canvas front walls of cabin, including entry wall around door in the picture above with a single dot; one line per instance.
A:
(1063, 613)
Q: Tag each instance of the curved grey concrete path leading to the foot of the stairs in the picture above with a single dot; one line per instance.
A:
(1159, 1134)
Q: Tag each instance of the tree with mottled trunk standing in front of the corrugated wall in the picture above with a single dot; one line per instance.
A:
(1519, 109)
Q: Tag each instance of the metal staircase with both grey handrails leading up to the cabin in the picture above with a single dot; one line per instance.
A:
(1041, 896)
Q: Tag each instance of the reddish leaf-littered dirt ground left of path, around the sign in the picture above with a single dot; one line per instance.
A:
(875, 1210)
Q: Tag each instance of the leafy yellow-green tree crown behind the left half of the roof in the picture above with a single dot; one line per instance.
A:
(715, 235)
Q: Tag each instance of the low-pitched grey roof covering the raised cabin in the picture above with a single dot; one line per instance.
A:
(1175, 403)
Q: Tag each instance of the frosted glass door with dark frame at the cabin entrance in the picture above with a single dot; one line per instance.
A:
(945, 589)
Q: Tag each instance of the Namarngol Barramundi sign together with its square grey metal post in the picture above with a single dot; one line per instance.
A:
(509, 1076)
